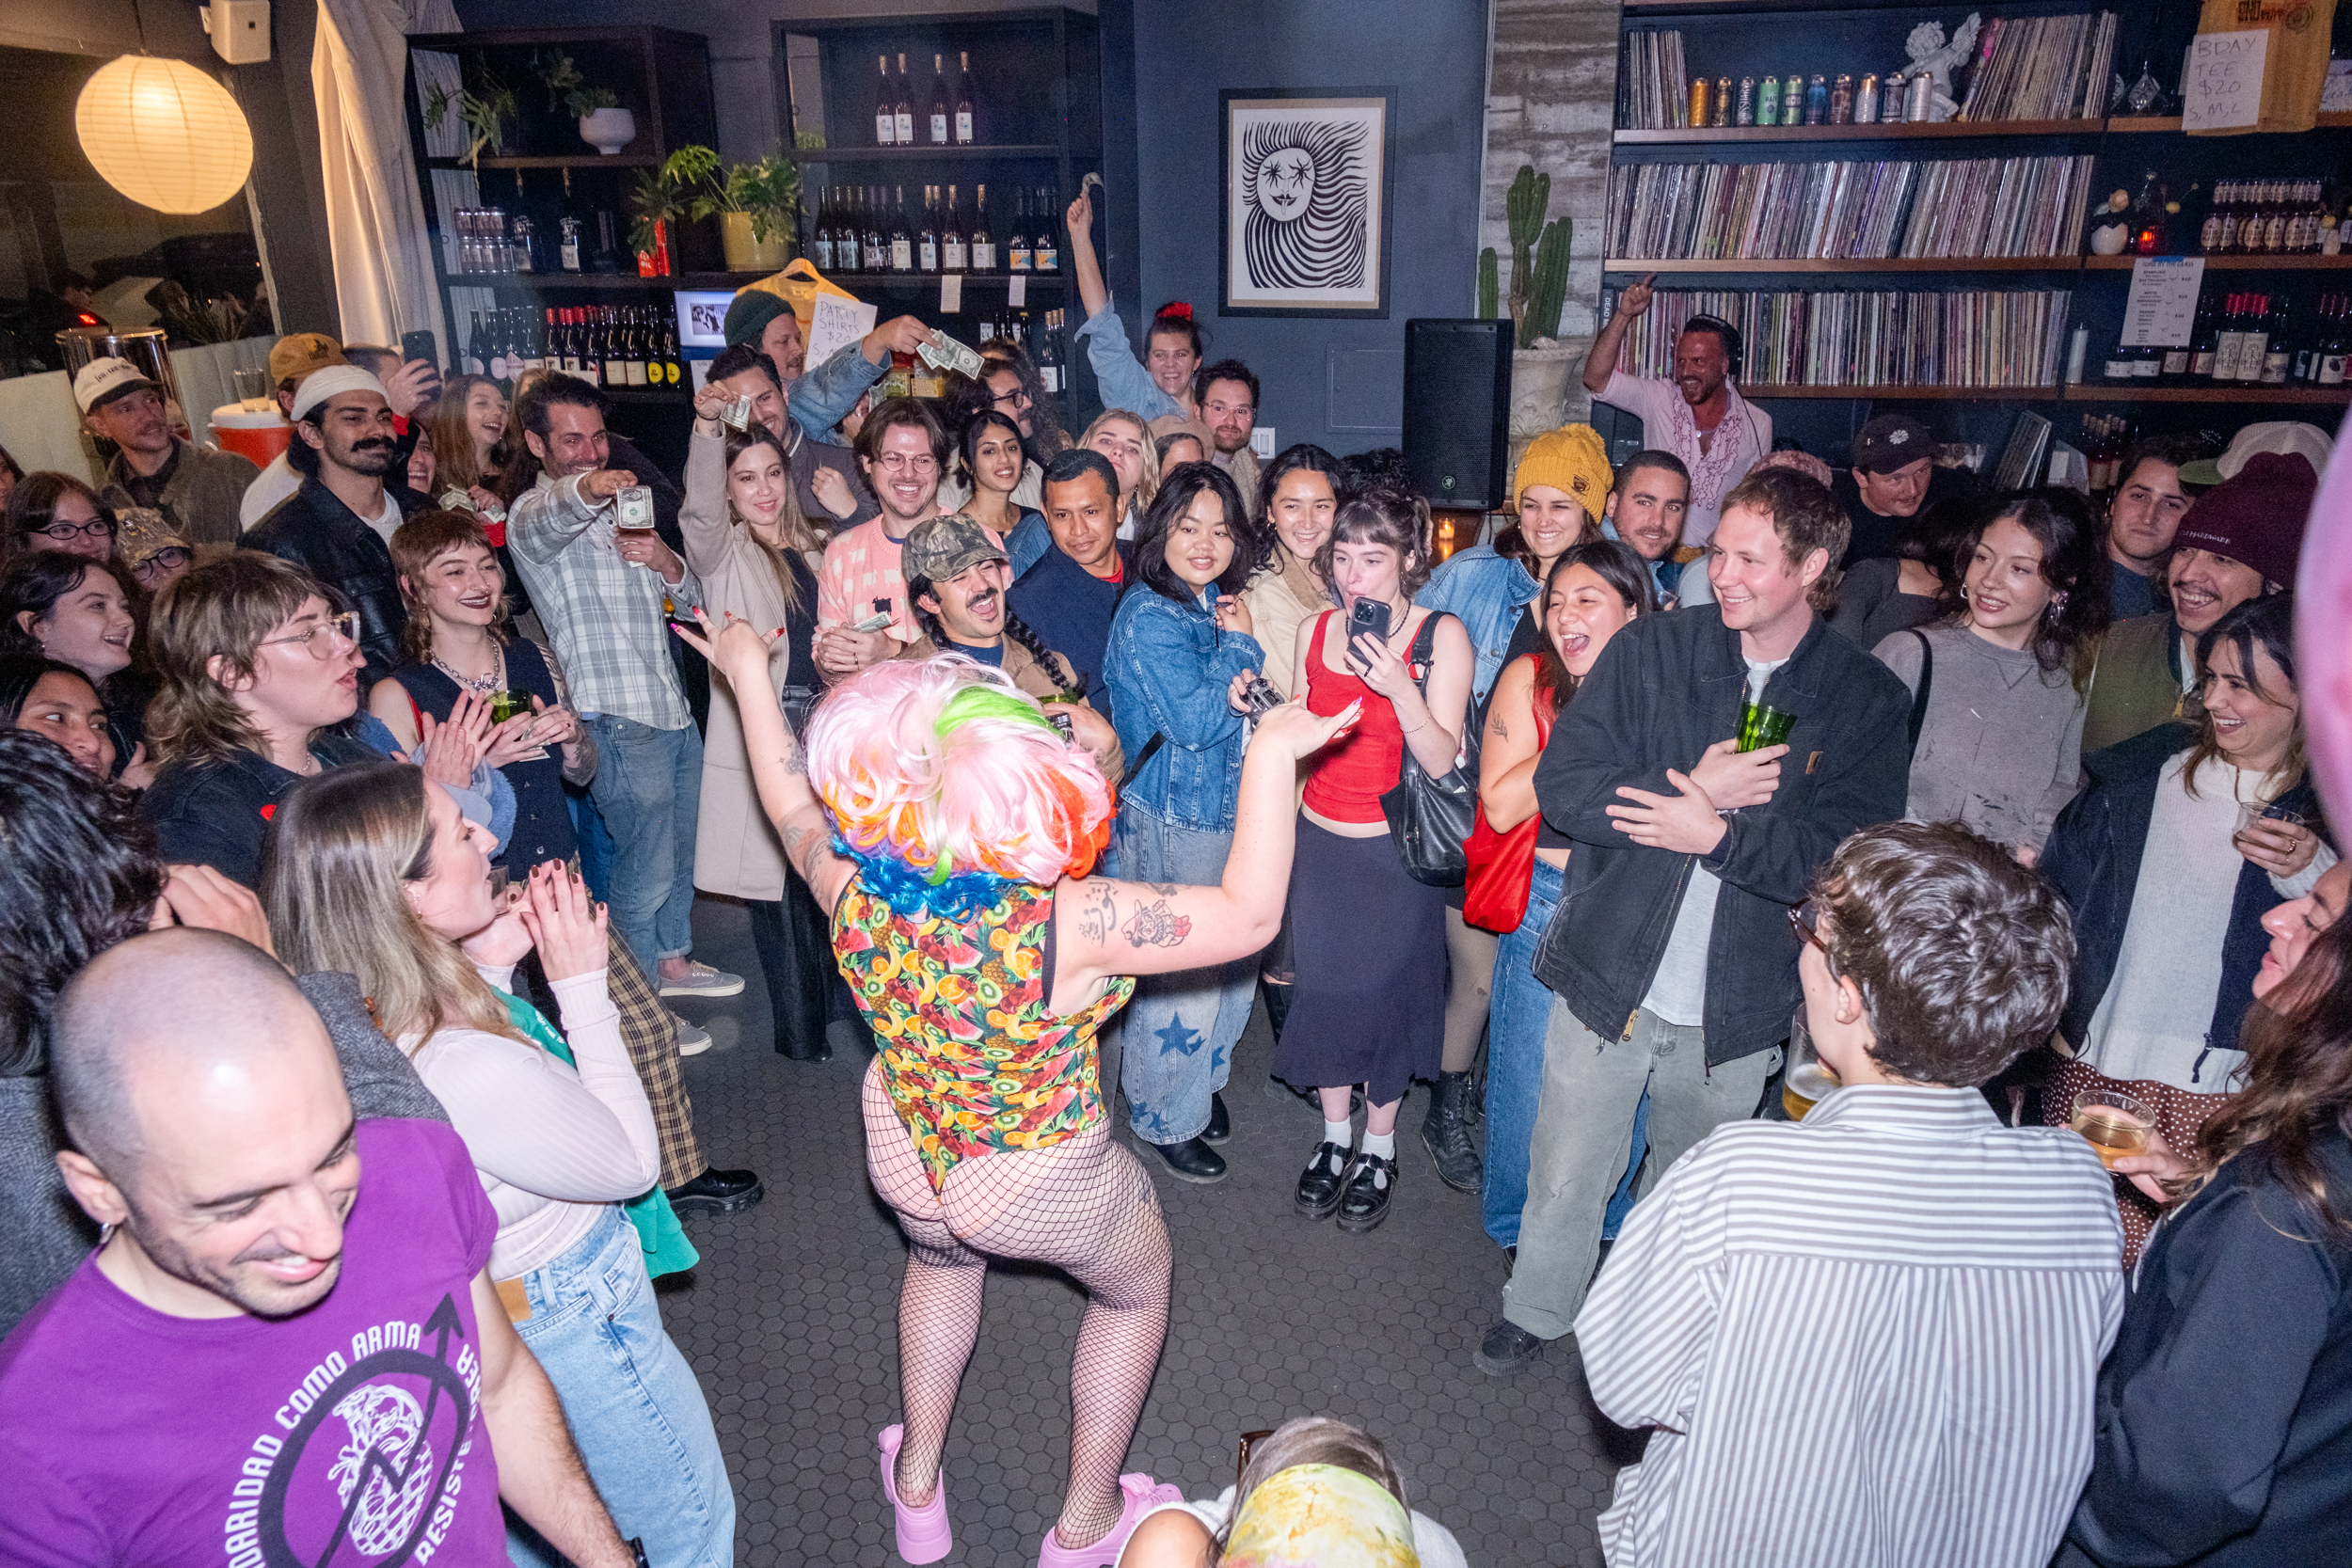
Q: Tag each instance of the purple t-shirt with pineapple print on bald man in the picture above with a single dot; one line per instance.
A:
(345, 1438)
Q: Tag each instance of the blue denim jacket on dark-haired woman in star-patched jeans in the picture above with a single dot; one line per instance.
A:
(1170, 669)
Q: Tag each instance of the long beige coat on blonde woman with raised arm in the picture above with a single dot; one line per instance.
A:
(735, 847)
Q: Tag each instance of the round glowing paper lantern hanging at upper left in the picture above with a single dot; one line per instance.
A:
(163, 133)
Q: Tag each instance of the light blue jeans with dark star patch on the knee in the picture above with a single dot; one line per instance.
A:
(1180, 1031)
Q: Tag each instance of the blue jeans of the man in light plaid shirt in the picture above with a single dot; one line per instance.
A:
(650, 789)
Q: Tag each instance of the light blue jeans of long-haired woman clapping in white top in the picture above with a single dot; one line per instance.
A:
(634, 1407)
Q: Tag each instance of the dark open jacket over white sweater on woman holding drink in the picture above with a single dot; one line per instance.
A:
(2094, 862)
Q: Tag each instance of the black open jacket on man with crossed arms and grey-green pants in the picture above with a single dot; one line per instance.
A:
(1664, 690)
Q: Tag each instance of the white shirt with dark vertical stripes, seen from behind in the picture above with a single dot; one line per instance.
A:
(1869, 1341)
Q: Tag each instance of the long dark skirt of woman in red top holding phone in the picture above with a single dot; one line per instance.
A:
(1370, 946)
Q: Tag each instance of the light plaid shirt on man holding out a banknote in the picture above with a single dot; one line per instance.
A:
(608, 617)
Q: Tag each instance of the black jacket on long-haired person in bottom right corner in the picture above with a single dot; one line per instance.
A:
(2226, 1405)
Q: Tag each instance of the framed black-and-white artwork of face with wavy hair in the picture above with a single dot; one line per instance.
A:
(1304, 227)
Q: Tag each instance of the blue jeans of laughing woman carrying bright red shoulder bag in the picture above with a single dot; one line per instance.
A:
(1516, 1021)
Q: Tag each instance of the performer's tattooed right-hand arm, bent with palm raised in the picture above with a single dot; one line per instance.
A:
(1144, 930)
